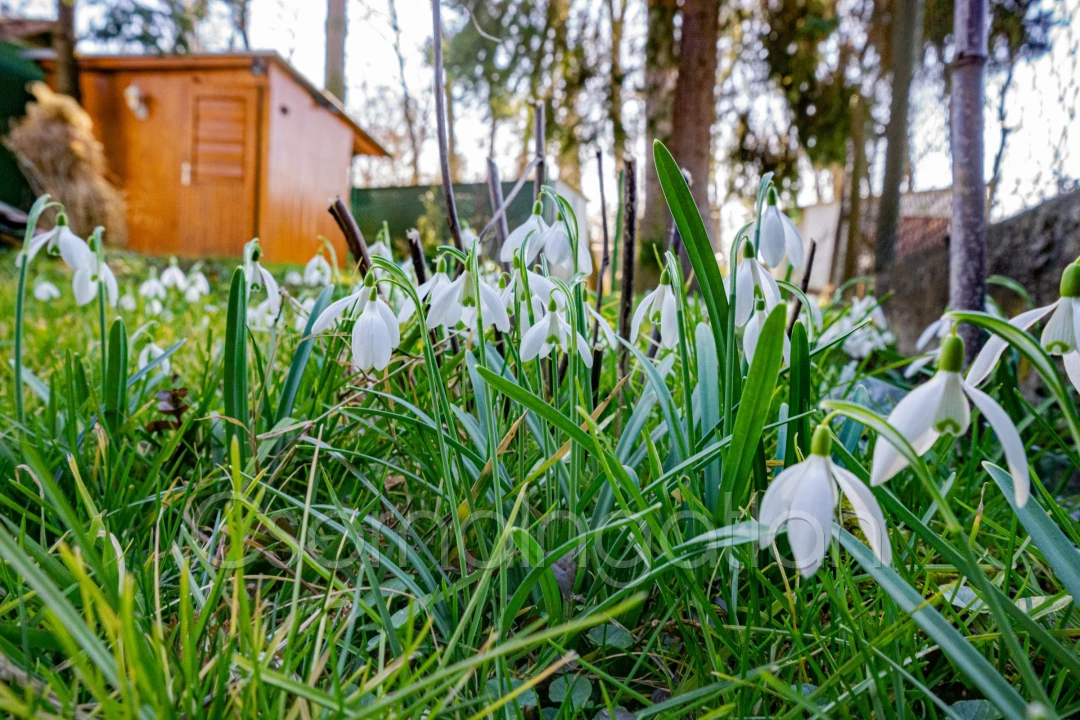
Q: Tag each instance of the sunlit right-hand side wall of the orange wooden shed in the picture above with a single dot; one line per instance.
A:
(309, 161)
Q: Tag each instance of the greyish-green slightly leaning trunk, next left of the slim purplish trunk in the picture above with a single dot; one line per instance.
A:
(907, 23)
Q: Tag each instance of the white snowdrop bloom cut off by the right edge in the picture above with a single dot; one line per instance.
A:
(1059, 337)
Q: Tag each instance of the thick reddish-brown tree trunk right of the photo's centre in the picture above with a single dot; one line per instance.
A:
(696, 98)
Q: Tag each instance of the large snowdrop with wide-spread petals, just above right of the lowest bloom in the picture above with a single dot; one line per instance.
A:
(941, 406)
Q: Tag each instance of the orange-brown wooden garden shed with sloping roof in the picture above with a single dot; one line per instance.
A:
(212, 151)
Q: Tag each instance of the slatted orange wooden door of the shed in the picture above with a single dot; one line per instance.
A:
(220, 179)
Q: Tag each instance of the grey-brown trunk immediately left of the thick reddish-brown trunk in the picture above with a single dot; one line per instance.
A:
(661, 66)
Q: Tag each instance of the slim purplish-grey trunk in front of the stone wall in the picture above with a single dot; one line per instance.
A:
(968, 236)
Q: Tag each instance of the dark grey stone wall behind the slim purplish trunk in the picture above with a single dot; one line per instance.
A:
(1032, 249)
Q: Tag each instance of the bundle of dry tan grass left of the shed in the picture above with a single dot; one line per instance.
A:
(59, 154)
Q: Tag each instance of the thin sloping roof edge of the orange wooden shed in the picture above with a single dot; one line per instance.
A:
(362, 145)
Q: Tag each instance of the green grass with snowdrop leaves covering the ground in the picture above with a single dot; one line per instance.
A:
(469, 536)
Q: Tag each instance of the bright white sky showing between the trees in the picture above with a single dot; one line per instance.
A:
(1042, 104)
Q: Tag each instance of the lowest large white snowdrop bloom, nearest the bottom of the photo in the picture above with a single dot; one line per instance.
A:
(804, 499)
